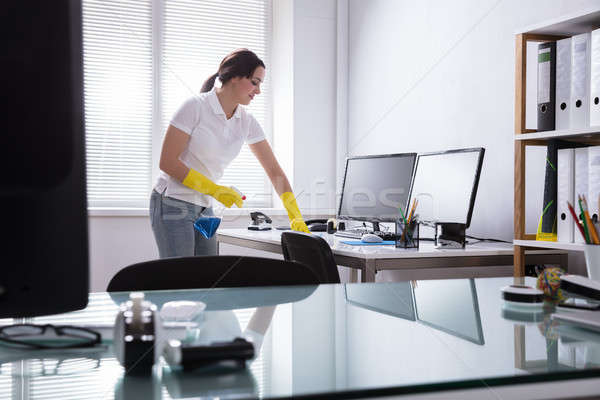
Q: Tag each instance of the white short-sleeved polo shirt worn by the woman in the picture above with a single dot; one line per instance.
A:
(214, 142)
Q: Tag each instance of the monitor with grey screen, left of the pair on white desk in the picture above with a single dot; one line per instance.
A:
(376, 186)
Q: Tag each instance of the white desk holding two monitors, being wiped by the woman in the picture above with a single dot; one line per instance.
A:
(475, 260)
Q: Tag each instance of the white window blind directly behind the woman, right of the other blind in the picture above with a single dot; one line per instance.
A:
(196, 36)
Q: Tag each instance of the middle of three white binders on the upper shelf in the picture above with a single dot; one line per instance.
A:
(580, 81)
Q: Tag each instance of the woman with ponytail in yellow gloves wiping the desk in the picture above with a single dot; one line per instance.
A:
(203, 137)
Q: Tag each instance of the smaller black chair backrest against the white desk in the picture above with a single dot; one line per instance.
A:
(313, 251)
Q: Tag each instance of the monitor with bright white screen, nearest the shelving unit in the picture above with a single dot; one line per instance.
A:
(445, 185)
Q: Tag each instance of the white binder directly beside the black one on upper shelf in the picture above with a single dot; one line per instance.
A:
(563, 83)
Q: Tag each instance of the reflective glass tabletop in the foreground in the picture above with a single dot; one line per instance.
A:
(367, 339)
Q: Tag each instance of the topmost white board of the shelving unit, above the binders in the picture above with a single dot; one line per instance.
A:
(568, 25)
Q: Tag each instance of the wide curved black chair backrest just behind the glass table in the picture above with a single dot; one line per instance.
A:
(210, 271)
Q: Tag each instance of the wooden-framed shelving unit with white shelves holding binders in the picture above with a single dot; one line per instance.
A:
(551, 31)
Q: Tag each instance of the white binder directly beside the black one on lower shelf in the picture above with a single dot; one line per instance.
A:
(564, 193)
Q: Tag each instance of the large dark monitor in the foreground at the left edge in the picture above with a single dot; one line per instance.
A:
(43, 193)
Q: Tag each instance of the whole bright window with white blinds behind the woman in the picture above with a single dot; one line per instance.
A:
(142, 59)
